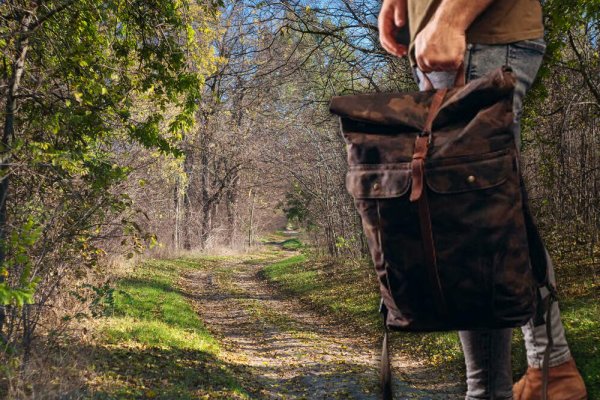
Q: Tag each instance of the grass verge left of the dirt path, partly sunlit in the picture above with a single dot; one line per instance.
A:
(154, 345)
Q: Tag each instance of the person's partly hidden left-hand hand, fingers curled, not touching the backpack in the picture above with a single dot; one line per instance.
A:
(392, 17)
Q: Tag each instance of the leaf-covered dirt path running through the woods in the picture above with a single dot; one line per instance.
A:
(282, 350)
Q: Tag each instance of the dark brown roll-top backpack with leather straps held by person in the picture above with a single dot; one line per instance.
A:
(435, 178)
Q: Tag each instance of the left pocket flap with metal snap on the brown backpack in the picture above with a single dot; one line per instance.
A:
(378, 181)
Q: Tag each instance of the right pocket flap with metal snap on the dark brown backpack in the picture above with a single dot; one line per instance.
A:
(470, 175)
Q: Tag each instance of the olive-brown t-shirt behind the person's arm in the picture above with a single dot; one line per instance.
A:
(504, 21)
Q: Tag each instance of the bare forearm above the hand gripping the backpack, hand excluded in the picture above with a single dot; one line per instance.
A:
(459, 14)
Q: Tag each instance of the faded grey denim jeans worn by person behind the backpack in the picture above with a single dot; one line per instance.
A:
(487, 353)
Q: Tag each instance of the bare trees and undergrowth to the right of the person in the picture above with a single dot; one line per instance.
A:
(562, 137)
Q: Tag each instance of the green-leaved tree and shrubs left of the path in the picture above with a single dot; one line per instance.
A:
(126, 72)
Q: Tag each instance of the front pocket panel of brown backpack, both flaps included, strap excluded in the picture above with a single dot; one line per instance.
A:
(478, 233)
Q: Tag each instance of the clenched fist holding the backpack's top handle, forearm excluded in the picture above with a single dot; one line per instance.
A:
(440, 46)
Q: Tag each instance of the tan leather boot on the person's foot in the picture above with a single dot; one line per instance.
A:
(564, 383)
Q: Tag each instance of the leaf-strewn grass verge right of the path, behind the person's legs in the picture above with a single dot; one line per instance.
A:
(349, 291)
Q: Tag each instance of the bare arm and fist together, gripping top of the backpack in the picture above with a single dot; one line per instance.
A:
(441, 45)
